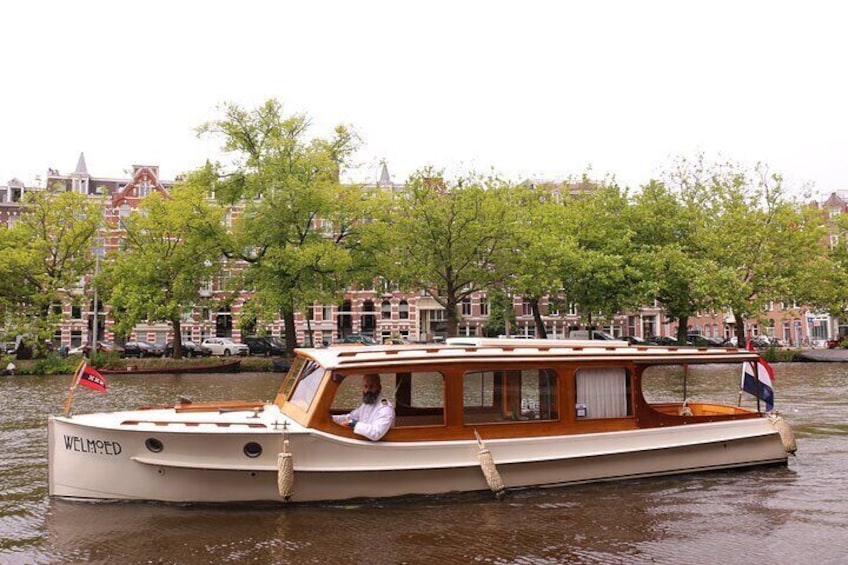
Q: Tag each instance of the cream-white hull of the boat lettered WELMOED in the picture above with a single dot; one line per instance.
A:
(102, 456)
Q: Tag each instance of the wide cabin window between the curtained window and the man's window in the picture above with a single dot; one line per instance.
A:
(513, 395)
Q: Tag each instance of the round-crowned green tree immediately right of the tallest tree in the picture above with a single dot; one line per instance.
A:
(447, 236)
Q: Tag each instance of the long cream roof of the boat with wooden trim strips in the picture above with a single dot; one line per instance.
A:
(489, 350)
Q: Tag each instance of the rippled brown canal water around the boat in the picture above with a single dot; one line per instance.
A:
(797, 514)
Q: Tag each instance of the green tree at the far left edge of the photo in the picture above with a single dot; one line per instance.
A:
(44, 256)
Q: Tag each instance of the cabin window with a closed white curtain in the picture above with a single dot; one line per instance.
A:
(603, 393)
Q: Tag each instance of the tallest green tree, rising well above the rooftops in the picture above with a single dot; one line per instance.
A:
(302, 234)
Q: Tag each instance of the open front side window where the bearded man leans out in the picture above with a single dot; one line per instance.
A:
(418, 397)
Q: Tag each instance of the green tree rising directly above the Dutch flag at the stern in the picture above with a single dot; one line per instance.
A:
(759, 242)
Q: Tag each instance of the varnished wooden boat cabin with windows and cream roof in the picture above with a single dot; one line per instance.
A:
(501, 388)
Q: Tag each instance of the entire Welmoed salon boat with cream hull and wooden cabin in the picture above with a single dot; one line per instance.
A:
(472, 414)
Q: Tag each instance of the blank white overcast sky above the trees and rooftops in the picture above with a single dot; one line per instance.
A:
(528, 89)
